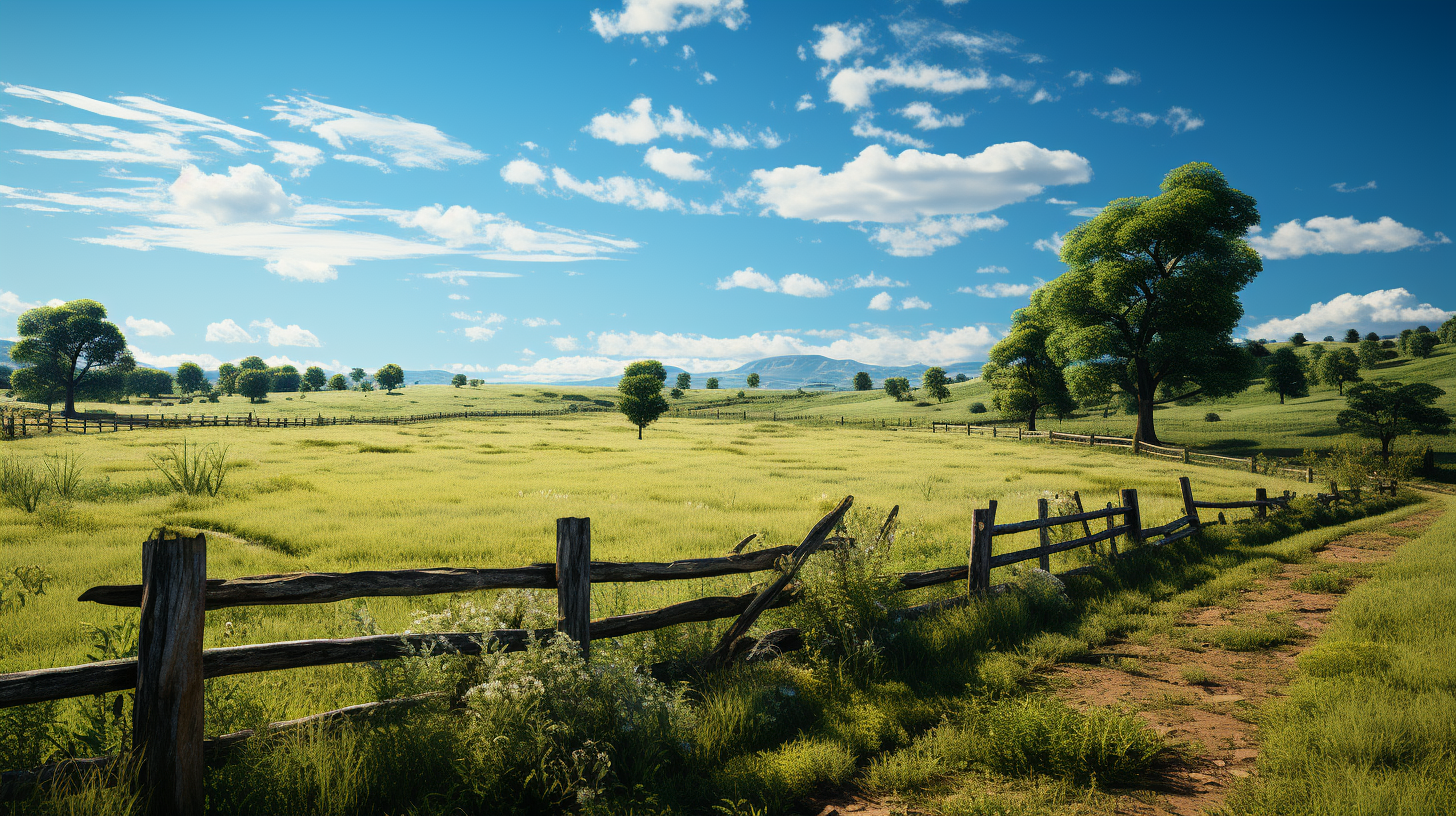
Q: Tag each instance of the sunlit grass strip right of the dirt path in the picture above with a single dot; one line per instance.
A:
(1371, 723)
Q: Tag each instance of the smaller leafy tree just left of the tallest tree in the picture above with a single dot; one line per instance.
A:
(1024, 377)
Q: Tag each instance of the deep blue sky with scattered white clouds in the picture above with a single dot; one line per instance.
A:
(541, 192)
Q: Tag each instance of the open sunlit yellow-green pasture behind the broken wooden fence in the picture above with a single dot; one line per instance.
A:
(487, 493)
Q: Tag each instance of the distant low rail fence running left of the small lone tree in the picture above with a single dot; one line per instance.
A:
(20, 425)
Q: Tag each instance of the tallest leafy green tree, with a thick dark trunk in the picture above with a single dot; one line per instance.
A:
(1152, 292)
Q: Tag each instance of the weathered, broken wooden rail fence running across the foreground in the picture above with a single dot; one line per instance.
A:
(171, 665)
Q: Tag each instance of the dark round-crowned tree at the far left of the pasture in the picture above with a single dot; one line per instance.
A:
(69, 346)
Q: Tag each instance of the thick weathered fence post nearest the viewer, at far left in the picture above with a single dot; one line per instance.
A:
(168, 707)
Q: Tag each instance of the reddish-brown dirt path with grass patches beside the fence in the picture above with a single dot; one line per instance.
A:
(1215, 716)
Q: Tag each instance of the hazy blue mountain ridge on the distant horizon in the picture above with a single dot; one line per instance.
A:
(806, 371)
